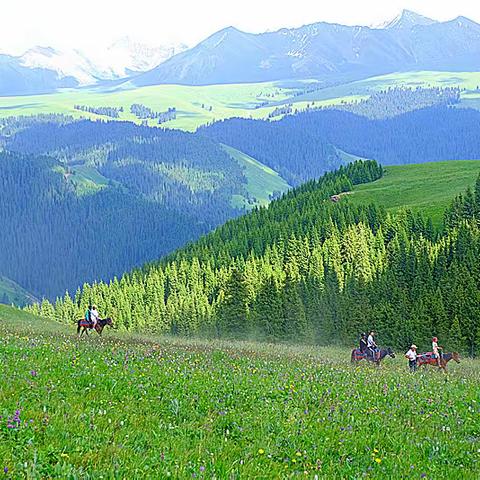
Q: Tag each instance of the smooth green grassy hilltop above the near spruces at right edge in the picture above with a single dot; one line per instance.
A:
(427, 188)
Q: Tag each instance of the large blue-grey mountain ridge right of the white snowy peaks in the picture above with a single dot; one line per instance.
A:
(324, 50)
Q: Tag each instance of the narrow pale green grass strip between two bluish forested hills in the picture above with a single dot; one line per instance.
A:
(262, 181)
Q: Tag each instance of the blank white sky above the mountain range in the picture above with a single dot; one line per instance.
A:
(89, 23)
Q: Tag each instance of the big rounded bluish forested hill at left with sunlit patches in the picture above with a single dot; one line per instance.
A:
(89, 200)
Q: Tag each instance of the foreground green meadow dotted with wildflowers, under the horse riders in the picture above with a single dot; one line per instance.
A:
(138, 407)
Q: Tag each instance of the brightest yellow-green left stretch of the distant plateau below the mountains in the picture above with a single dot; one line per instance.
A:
(227, 101)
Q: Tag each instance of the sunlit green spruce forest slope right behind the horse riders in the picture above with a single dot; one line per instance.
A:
(309, 269)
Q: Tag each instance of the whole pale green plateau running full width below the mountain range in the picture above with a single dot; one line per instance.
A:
(229, 100)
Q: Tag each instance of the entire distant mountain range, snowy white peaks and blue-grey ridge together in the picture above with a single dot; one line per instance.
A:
(323, 51)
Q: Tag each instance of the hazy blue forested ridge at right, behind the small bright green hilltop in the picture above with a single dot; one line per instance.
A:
(301, 146)
